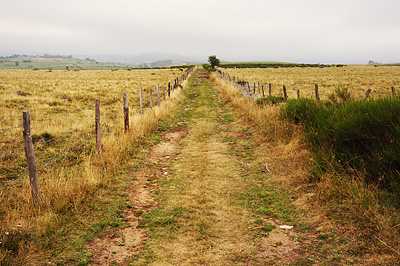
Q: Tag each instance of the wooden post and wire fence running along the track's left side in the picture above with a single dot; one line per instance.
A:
(27, 124)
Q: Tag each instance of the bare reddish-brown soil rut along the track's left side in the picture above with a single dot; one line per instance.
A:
(120, 246)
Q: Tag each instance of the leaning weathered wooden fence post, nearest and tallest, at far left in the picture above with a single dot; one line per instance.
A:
(30, 157)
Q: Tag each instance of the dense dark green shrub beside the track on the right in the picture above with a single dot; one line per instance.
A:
(360, 137)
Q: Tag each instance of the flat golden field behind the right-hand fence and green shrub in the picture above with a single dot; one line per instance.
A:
(358, 79)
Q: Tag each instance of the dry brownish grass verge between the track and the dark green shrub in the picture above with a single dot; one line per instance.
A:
(355, 222)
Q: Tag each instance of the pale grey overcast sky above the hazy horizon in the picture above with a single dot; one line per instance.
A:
(309, 31)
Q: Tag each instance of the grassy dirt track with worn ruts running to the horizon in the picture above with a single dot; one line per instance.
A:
(201, 200)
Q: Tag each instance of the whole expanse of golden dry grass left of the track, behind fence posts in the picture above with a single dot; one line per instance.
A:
(61, 105)
